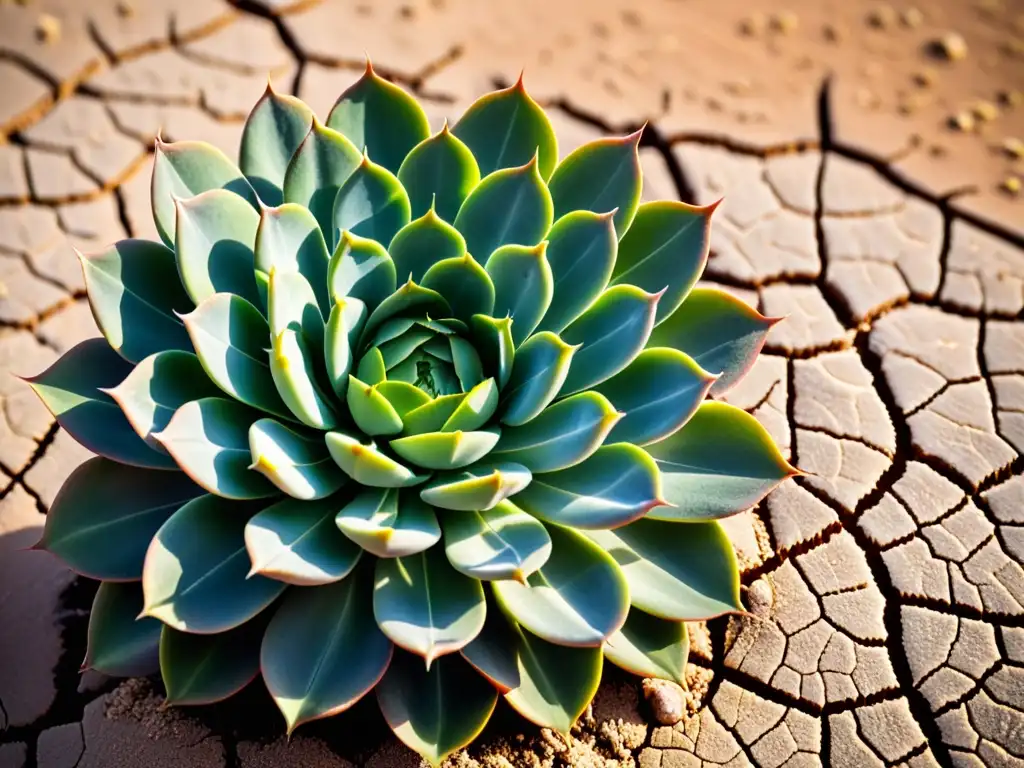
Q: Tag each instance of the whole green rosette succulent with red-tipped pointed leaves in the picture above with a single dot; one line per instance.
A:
(426, 414)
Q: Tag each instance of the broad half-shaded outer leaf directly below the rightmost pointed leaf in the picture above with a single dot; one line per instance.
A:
(681, 574)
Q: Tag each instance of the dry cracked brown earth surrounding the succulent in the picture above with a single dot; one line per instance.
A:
(871, 155)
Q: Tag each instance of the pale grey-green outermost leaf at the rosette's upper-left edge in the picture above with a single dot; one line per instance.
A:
(184, 169)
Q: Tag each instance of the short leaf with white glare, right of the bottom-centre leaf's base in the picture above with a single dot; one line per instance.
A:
(500, 543)
